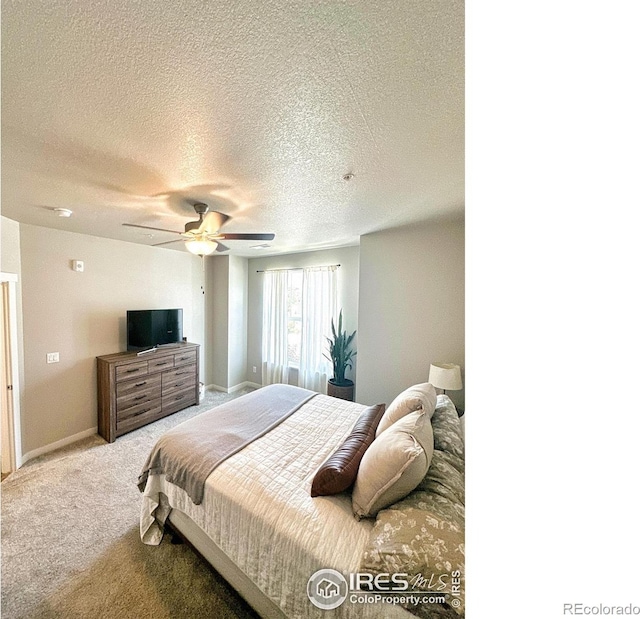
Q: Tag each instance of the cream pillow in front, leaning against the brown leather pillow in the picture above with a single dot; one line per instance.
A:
(395, 463)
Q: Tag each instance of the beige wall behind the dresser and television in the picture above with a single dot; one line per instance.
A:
(83, 315)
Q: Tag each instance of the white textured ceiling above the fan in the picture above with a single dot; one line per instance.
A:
(130, 111)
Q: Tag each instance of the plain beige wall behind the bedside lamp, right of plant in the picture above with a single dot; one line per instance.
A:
(411, 307)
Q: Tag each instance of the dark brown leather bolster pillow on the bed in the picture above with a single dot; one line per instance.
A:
(339, 472)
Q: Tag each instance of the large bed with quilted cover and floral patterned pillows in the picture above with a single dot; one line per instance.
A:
(256, 522)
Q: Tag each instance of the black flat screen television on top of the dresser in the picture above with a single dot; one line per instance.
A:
(150, 328)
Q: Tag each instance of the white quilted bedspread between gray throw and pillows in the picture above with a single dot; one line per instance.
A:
(258, 510)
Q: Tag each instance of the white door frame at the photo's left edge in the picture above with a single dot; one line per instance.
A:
(11, 374)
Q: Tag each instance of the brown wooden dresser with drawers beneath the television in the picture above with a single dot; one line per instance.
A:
(134, 390)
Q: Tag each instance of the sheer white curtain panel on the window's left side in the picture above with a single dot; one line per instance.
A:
(275, 367)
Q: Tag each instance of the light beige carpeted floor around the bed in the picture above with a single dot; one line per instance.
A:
(70, 541)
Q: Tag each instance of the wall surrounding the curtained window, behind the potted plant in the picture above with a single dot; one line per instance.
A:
(347, 257)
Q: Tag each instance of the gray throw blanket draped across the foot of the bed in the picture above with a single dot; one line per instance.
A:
(189, 453)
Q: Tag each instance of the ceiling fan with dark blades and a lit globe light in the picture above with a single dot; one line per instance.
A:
(202, 237)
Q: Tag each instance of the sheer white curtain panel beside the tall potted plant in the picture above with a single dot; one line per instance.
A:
(319, 306)
